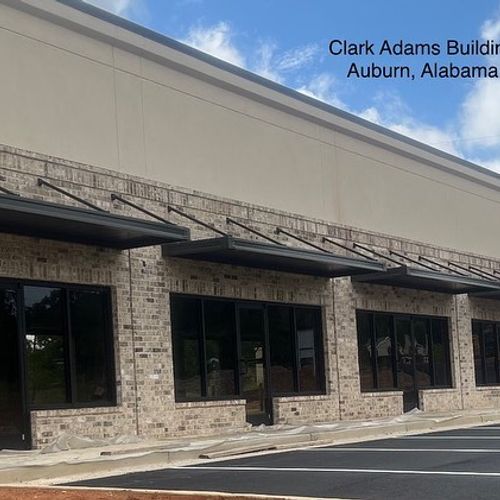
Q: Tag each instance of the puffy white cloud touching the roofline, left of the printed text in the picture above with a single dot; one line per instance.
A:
(217, 41)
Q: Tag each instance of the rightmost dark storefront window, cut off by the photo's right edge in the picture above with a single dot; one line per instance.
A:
(486, 343)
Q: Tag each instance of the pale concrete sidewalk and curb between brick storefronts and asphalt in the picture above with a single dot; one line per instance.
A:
(157, 458)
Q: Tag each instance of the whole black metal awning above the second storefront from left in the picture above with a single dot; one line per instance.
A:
(252, 253)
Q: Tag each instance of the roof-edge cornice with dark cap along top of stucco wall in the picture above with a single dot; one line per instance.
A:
(100, 24)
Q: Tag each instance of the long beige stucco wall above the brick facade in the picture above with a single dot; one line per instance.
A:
(122, 102)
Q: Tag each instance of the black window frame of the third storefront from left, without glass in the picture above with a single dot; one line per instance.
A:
(393, 318)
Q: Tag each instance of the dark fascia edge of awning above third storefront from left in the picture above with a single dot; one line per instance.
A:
(412, 272)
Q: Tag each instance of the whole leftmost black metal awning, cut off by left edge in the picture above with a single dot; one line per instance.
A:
(42, 219)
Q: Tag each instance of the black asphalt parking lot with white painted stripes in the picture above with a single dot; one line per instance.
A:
(451, 464)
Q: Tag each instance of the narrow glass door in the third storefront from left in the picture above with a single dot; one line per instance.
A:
(405, 362)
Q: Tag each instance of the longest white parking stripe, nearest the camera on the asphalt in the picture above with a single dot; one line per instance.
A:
(356, 471)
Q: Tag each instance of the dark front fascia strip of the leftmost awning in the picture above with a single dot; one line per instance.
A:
(105, 219)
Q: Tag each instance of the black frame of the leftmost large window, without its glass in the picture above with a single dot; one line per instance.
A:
(70, 381)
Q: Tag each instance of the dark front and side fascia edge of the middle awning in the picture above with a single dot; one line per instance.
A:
(187, 248)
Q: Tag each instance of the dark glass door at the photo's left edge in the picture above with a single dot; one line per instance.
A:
(12, 415)
